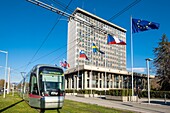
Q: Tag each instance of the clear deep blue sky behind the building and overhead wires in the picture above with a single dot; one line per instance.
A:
(24, 26)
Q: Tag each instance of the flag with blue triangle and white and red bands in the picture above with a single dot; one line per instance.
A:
(114, 40)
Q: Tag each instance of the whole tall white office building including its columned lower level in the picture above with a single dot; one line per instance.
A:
(100, 71)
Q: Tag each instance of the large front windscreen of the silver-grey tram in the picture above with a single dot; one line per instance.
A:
(51, 84)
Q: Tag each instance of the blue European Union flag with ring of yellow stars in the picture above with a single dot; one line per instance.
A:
(139, 25)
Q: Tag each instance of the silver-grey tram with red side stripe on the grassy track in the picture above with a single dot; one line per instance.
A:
(43, 87)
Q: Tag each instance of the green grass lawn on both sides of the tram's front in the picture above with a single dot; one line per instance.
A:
(14, 104)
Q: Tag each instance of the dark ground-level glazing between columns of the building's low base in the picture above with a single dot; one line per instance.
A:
(119, 81)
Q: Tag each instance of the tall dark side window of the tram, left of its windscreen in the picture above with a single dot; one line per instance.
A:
(34, 87)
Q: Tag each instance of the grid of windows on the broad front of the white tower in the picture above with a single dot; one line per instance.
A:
(87, 35)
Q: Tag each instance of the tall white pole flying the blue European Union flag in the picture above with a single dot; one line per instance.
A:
(131, 55)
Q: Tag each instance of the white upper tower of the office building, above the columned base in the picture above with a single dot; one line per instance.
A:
(115, 54)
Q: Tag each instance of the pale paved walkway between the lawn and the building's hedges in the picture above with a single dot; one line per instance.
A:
(155, 106)
